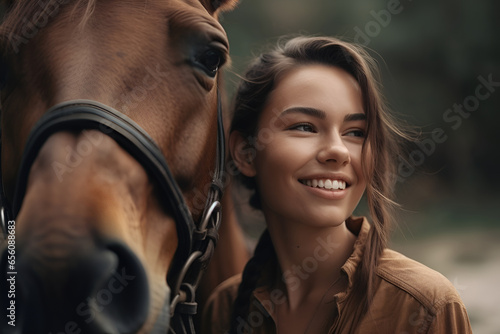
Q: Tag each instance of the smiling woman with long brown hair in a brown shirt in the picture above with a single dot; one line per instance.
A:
(311, 135)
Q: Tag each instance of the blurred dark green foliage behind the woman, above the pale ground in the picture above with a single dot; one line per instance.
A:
(432, 55)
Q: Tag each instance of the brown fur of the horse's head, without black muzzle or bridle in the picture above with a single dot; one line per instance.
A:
(83, 187)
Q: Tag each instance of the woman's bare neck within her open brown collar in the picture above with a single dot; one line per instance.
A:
(310, 257)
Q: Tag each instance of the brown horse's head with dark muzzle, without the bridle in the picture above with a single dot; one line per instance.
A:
(94, 241)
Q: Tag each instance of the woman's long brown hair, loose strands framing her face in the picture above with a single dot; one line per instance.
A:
(383, 138)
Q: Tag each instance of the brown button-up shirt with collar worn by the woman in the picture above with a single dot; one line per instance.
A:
(409, 298)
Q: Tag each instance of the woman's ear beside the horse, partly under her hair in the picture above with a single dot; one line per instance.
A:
(242, 153)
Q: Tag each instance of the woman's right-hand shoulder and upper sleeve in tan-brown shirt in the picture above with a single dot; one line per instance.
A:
(417, 298)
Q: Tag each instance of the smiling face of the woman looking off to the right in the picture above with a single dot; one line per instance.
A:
(308, 162)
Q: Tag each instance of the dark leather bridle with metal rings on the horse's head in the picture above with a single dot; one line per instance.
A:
(196, 243)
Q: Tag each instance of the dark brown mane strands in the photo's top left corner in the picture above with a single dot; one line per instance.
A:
(24, 18)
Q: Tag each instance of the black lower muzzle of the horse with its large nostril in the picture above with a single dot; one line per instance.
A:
(102, 291)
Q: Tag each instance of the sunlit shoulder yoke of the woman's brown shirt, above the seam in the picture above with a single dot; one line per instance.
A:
(426, 285)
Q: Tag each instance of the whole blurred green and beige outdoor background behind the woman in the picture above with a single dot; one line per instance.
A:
(440, 63)
